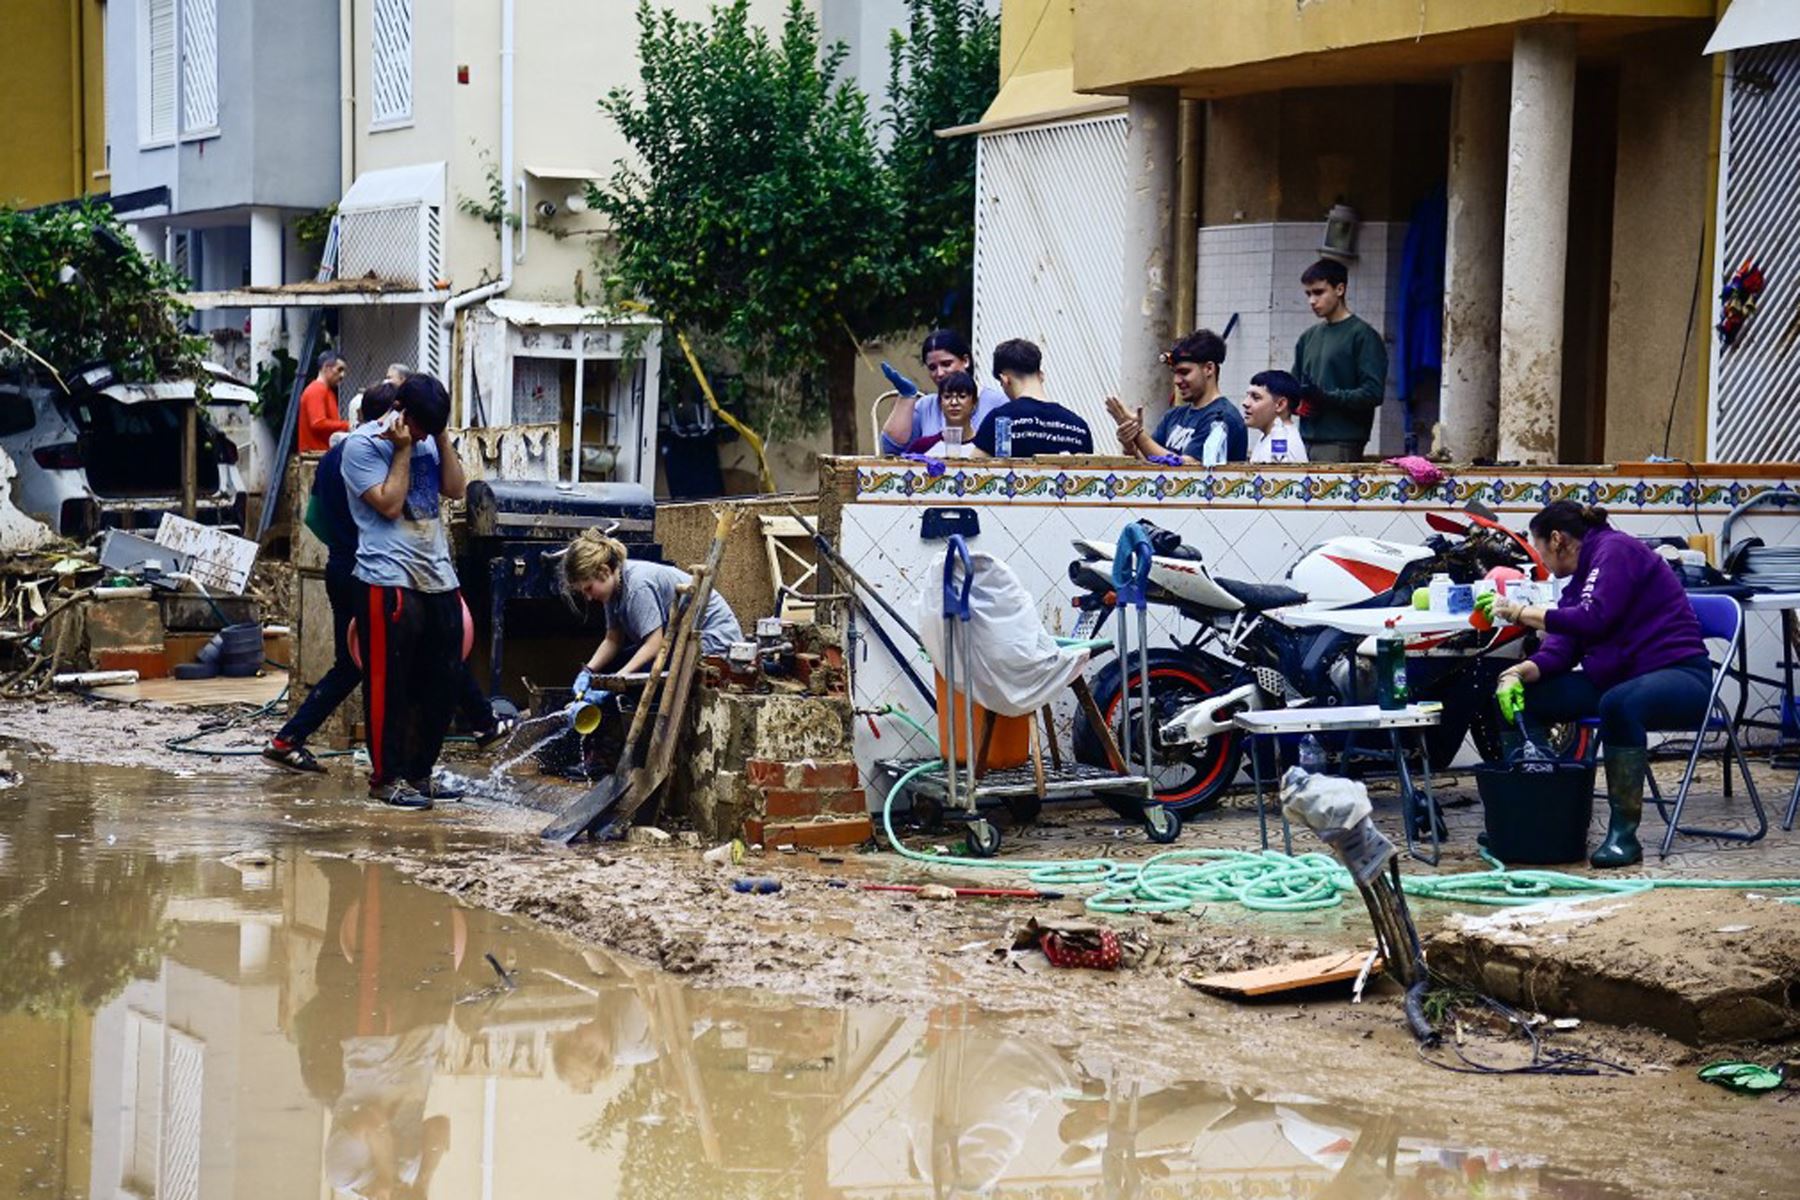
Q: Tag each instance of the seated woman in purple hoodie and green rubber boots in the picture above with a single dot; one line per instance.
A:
(1628, 625)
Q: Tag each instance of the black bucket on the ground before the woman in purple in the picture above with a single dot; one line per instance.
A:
(1538, 810)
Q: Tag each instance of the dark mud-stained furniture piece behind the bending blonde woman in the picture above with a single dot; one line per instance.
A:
(521, 530)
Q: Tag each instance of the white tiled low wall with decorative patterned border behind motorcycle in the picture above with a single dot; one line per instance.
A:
(1248, 526)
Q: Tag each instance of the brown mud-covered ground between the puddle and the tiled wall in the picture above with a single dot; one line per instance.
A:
(827, 940)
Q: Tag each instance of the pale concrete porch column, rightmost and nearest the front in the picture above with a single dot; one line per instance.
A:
(1536, 242)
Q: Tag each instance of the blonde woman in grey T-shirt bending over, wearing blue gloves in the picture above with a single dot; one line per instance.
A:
(638, 600)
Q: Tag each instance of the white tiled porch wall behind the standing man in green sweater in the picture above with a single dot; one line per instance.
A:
(1254, 271)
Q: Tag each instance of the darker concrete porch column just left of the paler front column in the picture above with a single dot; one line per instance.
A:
(1470, 415)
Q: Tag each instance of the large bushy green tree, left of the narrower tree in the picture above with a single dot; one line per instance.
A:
(759, 215)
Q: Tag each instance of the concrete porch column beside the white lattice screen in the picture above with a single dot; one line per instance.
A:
(1151, 152)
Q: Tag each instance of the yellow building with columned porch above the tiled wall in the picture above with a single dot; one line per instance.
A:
(1574, 145)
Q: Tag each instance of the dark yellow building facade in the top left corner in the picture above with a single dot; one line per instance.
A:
(53, 143)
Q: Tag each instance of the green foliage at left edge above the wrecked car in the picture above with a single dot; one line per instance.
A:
(76, 291)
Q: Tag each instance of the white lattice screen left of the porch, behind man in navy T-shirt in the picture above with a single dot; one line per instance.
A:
(1050, 231)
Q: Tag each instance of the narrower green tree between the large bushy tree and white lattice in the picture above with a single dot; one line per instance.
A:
(942, 75)
